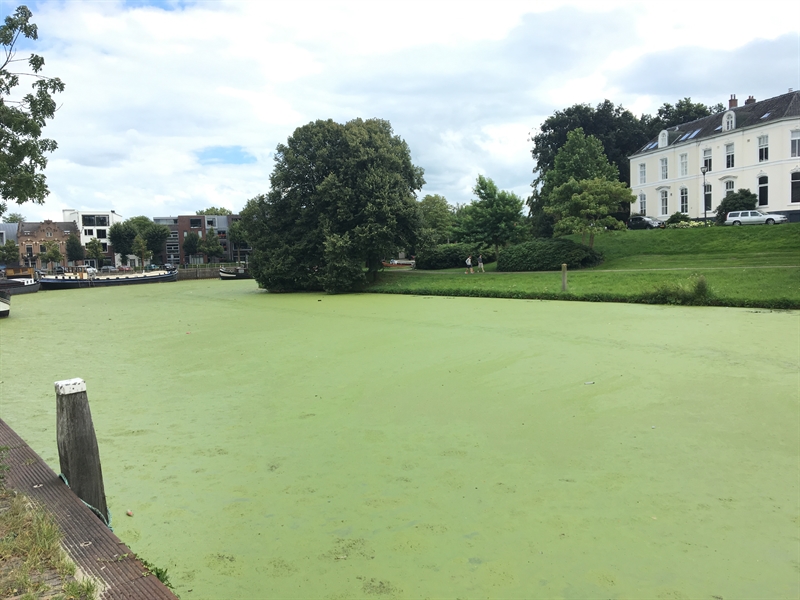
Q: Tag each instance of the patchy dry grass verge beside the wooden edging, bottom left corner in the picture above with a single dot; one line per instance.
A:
(30, 551)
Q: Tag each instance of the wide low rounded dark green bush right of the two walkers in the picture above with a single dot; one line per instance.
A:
(547, 255)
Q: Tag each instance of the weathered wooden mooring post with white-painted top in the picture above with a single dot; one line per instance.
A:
(78, 453)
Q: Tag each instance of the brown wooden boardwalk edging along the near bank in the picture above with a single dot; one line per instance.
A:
(93, 547)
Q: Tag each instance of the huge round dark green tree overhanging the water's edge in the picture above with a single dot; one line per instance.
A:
(343, 197)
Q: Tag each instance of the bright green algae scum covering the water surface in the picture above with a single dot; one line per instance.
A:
(310, 446)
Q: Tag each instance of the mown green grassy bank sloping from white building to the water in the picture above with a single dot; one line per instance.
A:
(743, 266)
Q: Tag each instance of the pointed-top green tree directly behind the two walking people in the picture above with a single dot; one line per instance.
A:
(495, 218)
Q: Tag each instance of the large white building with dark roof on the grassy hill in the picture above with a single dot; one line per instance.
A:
(755, 146)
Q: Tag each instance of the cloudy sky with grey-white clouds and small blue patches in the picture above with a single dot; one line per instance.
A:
(171, 107)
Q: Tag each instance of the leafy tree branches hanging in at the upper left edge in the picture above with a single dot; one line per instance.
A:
(22, 117)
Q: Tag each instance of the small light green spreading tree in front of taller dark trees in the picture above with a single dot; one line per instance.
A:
(585, 206)
